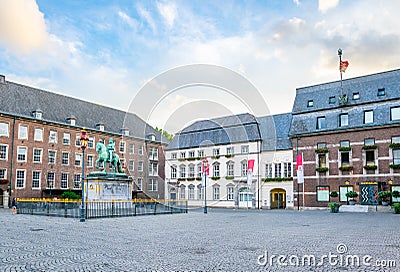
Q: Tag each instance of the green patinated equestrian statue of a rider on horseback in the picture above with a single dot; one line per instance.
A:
(106, 154)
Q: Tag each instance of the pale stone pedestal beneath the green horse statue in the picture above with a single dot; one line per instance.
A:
(108, 186)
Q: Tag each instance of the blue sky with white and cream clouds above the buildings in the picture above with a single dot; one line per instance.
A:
(107, 51)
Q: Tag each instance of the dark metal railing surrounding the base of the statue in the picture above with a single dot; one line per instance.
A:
(100, 208)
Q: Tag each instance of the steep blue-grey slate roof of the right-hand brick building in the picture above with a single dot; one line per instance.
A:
(362, 94)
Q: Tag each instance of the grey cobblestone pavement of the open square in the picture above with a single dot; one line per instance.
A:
(222, 240)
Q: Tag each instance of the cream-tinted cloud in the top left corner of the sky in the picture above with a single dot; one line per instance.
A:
(22, 26)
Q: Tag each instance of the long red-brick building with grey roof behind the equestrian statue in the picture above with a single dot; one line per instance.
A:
(40, 153)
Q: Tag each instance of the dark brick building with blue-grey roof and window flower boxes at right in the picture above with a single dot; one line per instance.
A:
(349, 137)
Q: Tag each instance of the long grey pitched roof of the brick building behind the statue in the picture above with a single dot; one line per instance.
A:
(21, 100)
